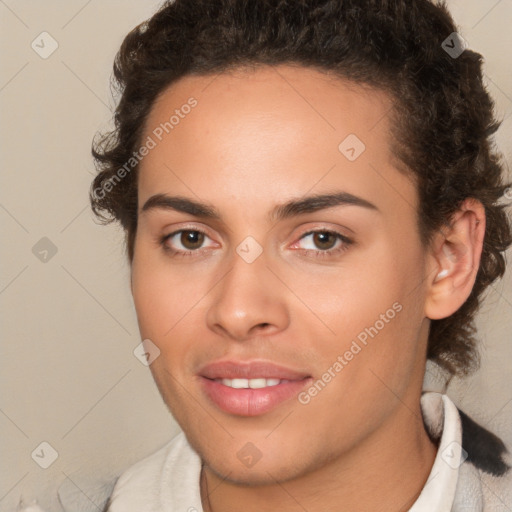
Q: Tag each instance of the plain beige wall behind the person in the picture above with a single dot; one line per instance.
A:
(69, 376)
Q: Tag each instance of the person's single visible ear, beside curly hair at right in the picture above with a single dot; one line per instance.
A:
(454, 260)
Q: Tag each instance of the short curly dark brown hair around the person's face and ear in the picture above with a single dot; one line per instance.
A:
(443, 116)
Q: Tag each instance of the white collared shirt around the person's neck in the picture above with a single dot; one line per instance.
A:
(168, 480)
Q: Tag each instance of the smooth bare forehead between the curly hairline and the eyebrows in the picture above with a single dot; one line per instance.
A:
(284, 129)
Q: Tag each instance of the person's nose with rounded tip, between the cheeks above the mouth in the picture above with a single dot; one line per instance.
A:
(249, 300)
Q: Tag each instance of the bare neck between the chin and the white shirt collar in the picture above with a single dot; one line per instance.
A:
(385, 472)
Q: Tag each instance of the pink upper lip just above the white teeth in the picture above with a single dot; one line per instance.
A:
(249, 370)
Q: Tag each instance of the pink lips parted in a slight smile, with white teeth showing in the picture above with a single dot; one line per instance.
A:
(250, 388)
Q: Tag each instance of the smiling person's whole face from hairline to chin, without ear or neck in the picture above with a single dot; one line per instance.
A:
(289, 308)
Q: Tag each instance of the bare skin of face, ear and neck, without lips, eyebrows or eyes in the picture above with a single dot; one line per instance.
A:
(257, 139)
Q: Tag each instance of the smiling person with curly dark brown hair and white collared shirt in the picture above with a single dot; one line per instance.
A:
(313, 209)
